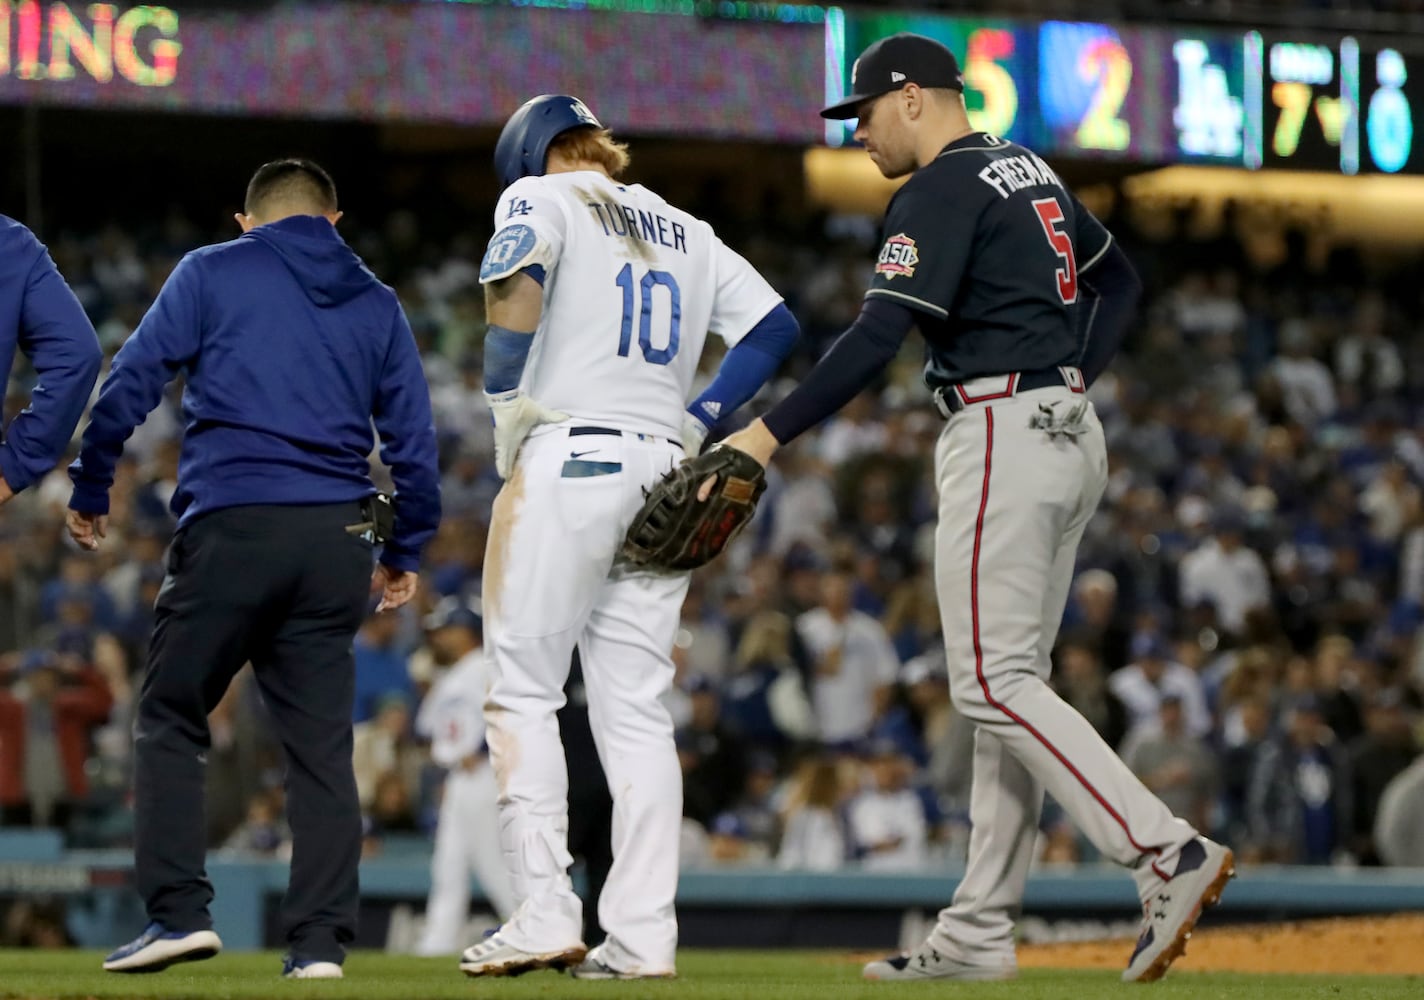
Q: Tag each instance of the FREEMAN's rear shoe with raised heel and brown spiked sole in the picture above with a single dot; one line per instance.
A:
(1173, 910)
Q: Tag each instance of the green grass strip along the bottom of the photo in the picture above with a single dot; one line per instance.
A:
(704, 976)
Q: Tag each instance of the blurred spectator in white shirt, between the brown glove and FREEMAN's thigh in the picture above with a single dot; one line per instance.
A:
(854, 663)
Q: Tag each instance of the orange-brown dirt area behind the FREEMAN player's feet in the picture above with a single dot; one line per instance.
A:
(1392, 945)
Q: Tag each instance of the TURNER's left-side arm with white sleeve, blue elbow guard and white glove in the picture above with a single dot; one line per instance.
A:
(526, 246)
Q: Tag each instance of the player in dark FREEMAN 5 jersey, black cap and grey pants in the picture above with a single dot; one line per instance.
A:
(1023, 298)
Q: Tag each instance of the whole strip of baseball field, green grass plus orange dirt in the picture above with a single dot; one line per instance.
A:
(1328, 961)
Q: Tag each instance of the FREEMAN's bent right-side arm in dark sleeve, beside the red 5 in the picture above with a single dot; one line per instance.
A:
(1110, 290)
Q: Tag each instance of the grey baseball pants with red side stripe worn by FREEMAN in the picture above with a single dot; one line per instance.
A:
(1015, 502)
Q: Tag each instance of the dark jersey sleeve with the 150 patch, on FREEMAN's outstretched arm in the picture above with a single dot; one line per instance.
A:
(925, 250)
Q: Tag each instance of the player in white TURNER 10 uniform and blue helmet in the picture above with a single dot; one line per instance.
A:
(600, 297)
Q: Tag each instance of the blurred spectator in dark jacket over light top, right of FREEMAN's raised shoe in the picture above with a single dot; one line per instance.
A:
(1299, 801)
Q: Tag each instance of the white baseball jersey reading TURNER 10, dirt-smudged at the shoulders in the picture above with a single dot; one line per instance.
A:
(632, 290)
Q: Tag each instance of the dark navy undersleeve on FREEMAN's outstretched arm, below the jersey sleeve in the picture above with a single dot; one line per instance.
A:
(852, 364)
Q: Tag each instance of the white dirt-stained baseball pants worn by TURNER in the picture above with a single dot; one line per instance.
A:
(550, 583)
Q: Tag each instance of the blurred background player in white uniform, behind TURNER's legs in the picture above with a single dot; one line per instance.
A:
(468, 834)
